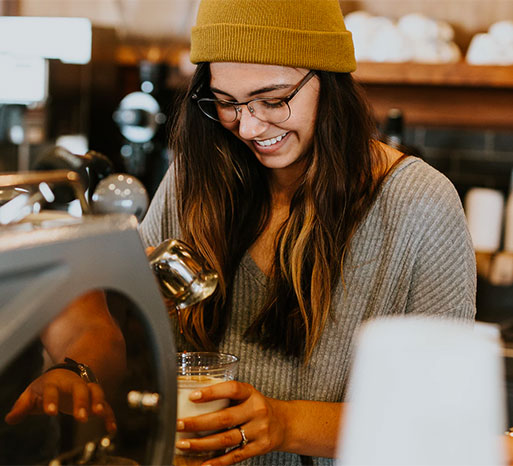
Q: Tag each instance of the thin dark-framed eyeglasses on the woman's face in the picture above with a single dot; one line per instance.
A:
(269, 109)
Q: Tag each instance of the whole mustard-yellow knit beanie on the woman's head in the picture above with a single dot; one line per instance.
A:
(298, 33)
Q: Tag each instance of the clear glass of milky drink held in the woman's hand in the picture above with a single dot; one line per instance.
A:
(196, 370)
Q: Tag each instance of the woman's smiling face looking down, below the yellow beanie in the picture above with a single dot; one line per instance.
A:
(276, 146)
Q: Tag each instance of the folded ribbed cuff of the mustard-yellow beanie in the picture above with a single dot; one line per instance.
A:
(315, 50)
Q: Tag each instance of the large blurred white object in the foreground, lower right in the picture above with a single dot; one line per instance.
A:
(425, 392)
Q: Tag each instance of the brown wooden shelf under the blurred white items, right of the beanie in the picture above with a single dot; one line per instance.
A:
(457, 95)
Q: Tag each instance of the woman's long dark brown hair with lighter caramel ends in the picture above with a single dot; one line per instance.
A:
(224, 202)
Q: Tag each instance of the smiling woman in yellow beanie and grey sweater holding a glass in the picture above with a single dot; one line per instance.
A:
(312, 225)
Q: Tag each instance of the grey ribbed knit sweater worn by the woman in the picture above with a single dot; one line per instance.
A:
(411, 254)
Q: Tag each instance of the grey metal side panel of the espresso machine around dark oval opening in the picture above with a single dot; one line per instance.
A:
(43, 269)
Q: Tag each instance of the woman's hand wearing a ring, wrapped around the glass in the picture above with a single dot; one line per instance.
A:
(261, 418)
